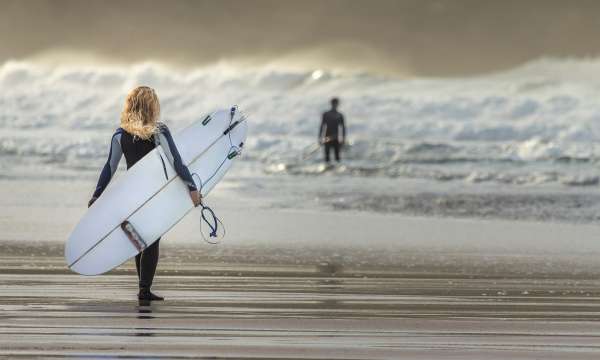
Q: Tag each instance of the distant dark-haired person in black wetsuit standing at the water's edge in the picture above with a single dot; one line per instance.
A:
(329, 136)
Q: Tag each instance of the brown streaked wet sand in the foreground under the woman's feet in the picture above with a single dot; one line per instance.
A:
(292, 312)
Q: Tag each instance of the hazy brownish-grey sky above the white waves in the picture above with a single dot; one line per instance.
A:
(419, 37)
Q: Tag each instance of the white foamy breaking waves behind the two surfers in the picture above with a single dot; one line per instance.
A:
(539, 123)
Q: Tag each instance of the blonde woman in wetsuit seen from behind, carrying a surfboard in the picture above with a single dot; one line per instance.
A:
(139, 133)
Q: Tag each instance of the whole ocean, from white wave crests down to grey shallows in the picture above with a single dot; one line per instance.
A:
(518, 144)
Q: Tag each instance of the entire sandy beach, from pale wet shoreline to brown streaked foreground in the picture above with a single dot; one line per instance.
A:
(422, 288)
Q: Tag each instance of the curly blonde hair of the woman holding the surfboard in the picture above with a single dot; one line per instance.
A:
(141, 112)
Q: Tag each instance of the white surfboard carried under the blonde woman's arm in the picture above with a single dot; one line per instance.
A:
(143, 204)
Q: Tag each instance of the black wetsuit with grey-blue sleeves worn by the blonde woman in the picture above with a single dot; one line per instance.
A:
(134, 148)
